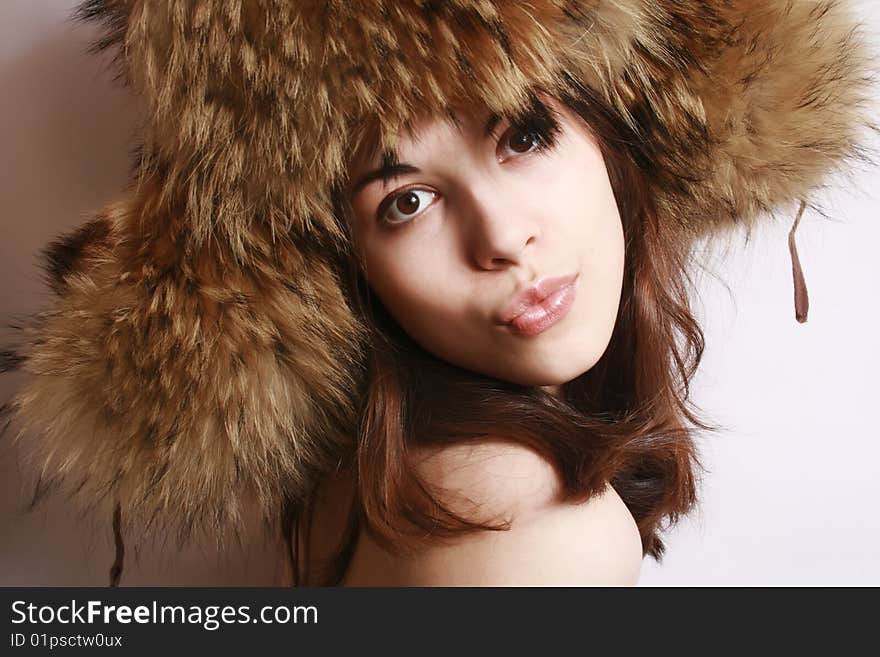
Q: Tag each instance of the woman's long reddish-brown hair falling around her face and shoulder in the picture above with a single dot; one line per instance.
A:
(627, 421)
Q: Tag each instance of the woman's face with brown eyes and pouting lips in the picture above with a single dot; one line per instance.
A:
(466, 220)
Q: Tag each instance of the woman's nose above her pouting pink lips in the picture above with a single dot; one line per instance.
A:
(501, 225)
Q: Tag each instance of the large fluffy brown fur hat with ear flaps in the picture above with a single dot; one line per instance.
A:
(199, 350)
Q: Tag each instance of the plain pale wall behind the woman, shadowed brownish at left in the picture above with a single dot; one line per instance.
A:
(792, 488)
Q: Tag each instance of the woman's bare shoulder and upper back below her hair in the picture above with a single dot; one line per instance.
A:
(548, 542)
